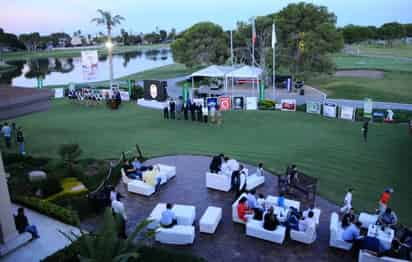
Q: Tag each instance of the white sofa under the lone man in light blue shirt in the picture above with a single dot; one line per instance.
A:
(176, 235)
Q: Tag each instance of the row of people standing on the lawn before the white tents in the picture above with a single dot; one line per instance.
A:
(193, 111)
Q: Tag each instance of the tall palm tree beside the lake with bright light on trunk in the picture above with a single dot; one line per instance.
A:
(110, 21)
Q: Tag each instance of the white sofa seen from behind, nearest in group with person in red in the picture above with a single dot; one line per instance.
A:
(254, 228)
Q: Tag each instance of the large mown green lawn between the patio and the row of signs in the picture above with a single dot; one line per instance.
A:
(331, 150)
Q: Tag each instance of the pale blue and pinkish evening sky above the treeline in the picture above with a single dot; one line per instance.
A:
(47, 16)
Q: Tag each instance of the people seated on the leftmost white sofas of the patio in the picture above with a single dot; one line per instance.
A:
(148, 174)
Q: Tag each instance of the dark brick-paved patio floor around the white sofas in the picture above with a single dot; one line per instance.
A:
(229, 243)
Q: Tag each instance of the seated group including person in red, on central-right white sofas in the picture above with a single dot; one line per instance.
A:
(252, 207)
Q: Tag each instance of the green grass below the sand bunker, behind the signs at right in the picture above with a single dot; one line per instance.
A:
(395, 87)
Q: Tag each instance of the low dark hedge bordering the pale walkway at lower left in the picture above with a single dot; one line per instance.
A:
(49, 209)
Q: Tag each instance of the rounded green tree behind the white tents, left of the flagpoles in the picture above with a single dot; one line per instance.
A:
(202, 44)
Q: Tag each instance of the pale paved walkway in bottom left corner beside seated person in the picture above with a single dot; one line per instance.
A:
(50, 241)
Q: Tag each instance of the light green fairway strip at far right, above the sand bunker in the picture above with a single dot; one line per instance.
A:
(358, 62)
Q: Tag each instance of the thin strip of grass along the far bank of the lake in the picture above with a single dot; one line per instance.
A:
(21, 55)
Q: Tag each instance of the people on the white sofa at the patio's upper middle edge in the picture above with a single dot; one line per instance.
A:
(224, 165)
